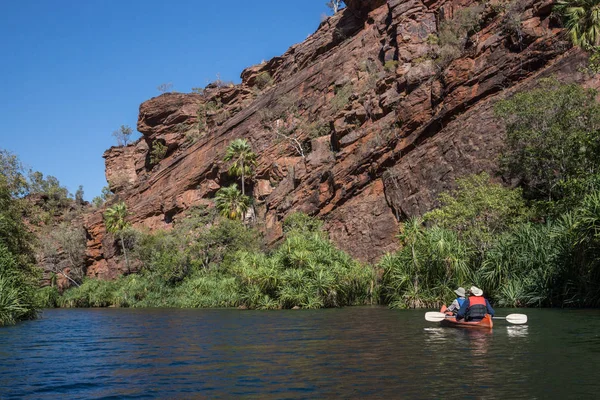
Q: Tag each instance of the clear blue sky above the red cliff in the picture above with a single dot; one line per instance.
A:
(74, 71)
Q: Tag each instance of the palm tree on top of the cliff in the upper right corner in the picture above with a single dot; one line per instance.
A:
(582, 21)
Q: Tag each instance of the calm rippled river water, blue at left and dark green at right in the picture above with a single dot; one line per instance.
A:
(346, 353)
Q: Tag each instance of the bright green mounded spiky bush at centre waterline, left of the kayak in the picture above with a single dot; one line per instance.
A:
(306, 271)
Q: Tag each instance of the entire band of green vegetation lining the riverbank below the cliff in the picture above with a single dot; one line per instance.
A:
(528, 234)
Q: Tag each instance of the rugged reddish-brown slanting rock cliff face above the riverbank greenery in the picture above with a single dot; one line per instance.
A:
(384, 122)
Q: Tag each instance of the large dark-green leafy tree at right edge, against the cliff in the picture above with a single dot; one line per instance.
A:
(552, 136)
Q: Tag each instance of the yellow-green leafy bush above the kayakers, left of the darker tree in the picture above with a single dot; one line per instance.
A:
(479, 209)
